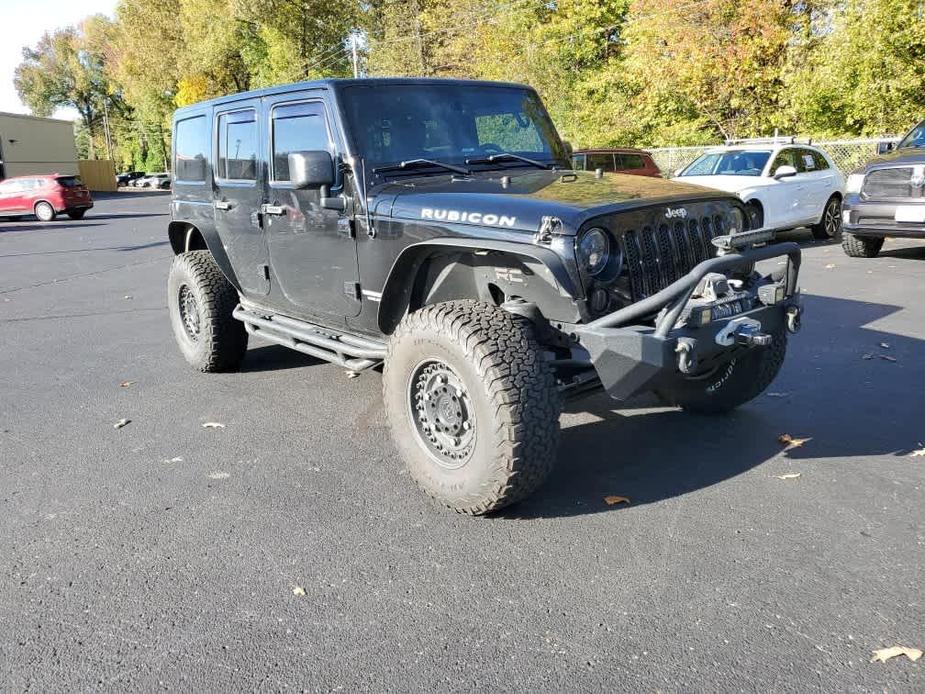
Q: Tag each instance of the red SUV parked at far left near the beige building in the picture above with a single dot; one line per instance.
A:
(45, 196)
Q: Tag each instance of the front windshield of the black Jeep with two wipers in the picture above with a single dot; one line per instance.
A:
(450, 124)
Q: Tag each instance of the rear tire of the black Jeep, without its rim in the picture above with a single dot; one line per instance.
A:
(220, 342)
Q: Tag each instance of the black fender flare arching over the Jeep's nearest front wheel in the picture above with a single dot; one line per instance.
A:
(399, 284)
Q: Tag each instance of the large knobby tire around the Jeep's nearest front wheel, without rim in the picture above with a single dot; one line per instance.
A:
(512, 394)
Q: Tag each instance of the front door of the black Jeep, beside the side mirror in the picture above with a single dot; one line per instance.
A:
(312, 249)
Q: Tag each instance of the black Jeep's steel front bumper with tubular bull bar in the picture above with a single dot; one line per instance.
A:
(632, 358)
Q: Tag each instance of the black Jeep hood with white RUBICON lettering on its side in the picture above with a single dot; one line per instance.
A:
(516, 199)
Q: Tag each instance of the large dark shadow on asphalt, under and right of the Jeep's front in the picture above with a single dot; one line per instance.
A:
(849, 387)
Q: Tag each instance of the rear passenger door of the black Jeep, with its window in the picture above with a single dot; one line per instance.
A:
(239, 179)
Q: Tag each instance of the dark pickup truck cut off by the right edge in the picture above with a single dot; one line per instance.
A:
(886, 197)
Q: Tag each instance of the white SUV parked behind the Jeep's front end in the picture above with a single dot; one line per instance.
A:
(785, 184)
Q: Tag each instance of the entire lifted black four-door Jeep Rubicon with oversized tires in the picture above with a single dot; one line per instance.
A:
(434, 228)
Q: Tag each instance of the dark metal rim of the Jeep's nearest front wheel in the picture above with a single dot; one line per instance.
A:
(442, 413)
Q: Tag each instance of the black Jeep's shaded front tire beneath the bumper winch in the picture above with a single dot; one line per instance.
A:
(733, 384)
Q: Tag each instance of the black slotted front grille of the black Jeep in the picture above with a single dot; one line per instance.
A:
(658, 254)
